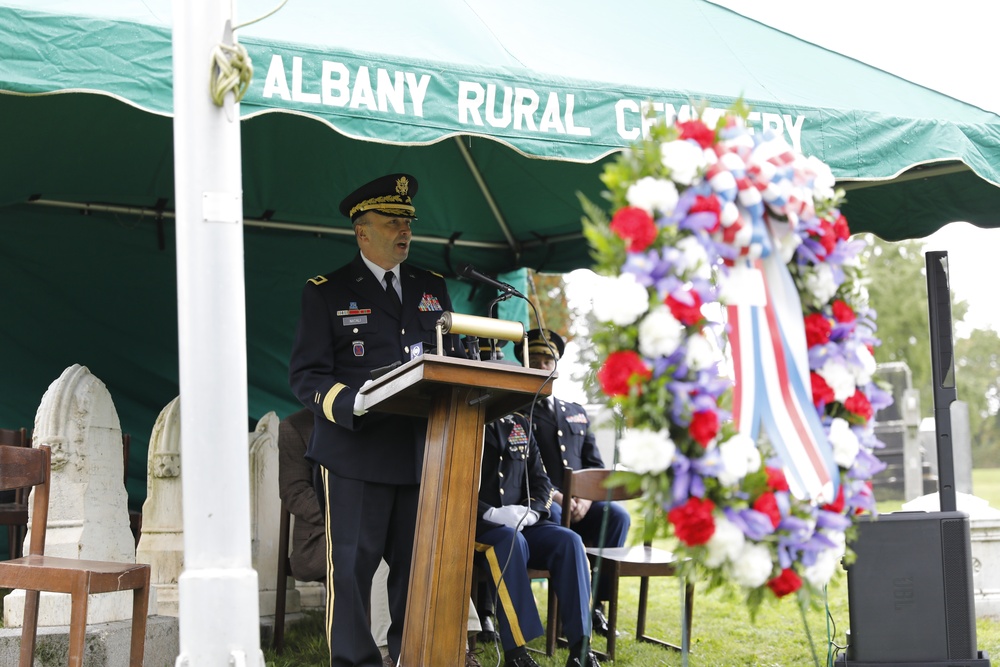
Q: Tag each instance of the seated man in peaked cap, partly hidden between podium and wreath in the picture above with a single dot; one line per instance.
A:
(565, 440)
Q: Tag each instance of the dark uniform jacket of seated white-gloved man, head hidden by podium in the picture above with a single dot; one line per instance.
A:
(510, 457)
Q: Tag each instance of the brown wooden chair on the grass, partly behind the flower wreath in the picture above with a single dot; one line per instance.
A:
(640, 561)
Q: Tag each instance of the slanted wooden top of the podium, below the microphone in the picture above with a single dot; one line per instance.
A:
(411, 388)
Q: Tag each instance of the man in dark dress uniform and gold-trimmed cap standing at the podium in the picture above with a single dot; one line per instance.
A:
(371, 313)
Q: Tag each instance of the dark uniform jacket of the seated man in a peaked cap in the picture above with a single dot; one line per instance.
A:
(565, 439)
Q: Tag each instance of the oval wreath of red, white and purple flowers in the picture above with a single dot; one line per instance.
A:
(692, 207)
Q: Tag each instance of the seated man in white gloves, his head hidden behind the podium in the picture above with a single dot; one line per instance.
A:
(514, 533)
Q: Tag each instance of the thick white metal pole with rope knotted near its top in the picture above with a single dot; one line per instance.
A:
(219, 616)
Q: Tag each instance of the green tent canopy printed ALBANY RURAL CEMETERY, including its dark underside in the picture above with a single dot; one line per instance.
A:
(504, 111)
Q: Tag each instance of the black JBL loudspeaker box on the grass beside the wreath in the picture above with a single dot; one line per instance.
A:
(910, 592)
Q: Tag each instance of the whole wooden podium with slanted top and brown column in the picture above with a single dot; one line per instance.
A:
(458, 397)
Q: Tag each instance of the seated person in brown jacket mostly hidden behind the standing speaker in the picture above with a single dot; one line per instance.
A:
(308, 558)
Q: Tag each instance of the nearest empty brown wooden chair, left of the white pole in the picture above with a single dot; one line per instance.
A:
(22, 467)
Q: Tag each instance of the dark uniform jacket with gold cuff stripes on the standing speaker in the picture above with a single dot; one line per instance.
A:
(348, 327)
